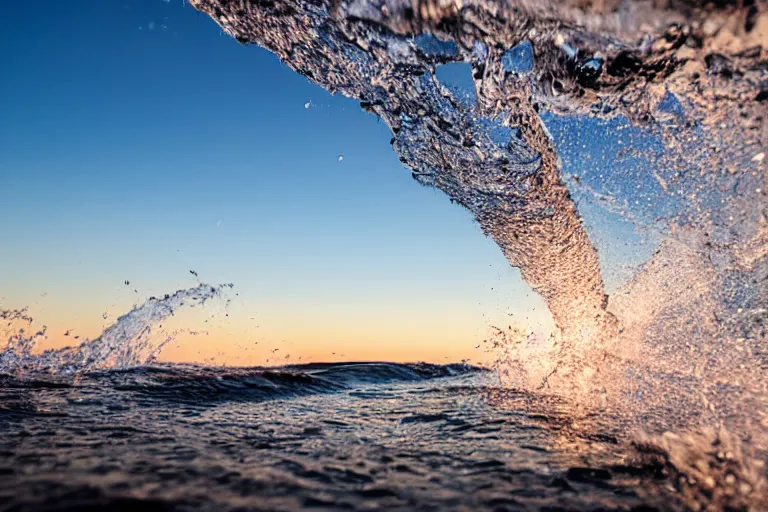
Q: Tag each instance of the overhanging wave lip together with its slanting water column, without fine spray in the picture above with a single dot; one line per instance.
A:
(492, 153)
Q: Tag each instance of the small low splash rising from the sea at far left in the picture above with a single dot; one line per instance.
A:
(135, 339)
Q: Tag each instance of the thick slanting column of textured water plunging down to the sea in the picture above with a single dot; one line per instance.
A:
(497, 161)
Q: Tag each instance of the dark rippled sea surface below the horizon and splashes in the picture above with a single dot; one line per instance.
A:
(325, 436)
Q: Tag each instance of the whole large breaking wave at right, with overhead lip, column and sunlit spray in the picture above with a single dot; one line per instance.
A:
(679, 86)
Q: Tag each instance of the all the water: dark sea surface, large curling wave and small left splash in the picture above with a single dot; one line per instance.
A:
(652, 392)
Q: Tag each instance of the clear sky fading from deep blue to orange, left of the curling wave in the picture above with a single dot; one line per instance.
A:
(138, 142)
